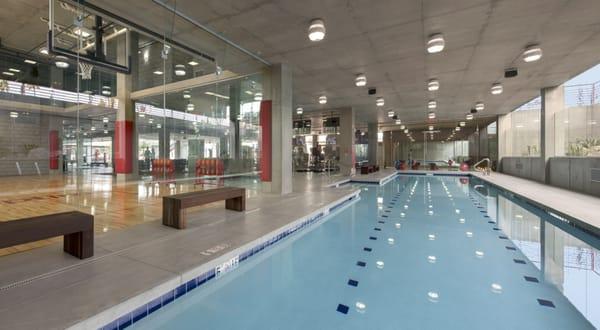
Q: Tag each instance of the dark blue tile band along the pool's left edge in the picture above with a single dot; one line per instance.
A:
(145, 310)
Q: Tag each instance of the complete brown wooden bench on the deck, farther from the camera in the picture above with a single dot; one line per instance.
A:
(174, 206)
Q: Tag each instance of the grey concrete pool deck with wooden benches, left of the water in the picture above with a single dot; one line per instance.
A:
(47, 289)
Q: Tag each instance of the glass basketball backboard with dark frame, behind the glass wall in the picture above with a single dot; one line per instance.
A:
(81, 33)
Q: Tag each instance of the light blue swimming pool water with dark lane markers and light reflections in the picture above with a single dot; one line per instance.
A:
(420, 252)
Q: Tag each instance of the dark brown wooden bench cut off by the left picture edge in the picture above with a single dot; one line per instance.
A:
(76, 227)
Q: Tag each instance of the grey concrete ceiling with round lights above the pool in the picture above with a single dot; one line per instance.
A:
(385, 39)
